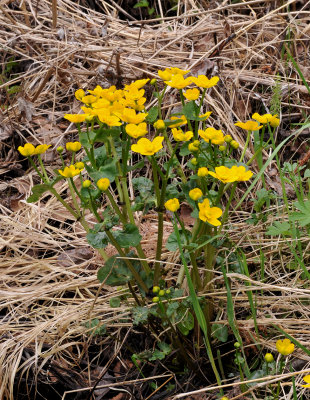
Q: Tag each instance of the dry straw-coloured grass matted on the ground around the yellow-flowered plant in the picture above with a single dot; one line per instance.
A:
(49, 289)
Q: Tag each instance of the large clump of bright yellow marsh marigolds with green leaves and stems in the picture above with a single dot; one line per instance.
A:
(112, 130)
